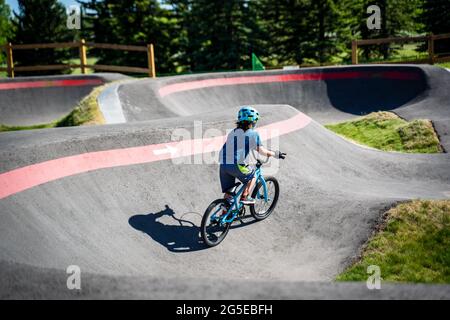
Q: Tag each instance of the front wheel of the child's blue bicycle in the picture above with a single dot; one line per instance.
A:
(262, 208)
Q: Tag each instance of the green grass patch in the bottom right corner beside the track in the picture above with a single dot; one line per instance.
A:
(411, 246)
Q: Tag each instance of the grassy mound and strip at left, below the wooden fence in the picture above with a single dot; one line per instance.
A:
(87, 112)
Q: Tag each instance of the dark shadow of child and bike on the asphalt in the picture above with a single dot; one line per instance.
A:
(182, 236)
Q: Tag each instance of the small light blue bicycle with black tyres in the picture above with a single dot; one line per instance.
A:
(221, 213)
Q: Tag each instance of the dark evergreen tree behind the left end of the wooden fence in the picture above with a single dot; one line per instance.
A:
(40, 21)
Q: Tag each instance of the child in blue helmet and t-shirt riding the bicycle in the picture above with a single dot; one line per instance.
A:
(234, 153)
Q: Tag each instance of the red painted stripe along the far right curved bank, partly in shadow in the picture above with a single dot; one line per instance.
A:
(198, 84)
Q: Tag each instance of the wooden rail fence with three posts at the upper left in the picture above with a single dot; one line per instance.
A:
(82, 46)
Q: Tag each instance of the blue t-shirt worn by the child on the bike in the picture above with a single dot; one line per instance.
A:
(238, 146)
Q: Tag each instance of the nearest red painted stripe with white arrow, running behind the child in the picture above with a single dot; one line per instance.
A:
(20, 179)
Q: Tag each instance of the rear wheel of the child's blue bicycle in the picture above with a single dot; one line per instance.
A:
(213, 232)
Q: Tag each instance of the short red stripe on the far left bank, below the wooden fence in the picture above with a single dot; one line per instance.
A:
(49, 83)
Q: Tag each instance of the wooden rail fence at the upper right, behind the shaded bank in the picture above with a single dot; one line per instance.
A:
(431, 59)
